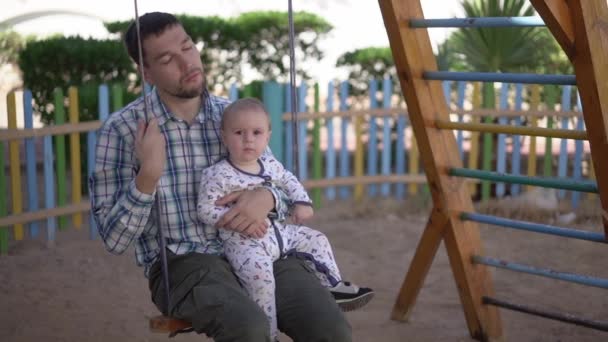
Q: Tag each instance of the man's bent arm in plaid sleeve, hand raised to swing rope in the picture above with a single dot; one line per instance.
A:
(121, 200)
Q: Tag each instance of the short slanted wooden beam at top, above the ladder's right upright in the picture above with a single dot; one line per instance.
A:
(556, 16)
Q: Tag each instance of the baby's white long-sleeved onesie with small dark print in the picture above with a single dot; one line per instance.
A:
(252, 259)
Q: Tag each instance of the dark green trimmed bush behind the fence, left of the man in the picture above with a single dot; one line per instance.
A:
(60, 62)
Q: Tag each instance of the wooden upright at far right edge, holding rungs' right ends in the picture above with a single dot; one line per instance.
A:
(591, 67)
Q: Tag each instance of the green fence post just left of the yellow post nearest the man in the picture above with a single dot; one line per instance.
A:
(60, 163)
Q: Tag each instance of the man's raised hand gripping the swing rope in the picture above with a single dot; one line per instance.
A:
(151, 154)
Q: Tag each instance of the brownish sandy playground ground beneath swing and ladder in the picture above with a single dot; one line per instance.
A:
(76, 291)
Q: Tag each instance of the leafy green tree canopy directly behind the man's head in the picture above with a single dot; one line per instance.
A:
(257, 40)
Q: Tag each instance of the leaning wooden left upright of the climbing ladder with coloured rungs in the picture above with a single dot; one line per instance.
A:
(413, 55)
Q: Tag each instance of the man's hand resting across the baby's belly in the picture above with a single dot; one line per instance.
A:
(248, 212)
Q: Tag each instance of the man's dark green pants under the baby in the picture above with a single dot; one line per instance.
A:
(205, 292)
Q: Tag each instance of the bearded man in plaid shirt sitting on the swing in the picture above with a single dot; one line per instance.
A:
(162, 155)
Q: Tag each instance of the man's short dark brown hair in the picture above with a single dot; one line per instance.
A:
(153, 23)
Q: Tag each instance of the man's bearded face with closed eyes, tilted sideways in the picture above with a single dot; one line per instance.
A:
(173, 63)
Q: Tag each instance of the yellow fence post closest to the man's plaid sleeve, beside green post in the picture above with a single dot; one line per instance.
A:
(75, 154)
